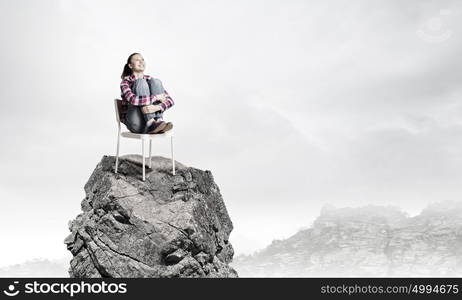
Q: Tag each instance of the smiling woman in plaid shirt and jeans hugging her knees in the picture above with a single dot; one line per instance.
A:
(146, 98)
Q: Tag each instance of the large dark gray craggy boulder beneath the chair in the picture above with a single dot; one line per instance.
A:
(167, 226)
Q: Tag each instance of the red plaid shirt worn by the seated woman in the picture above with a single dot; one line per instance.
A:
(128, 95)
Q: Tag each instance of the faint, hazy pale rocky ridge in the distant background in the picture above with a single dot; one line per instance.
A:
(370, 241)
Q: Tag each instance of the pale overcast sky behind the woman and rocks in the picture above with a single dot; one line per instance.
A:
(290, 104)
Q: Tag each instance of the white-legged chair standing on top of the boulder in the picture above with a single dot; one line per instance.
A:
(121, 113)
